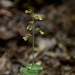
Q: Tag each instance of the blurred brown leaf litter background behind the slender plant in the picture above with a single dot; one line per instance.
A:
(55, 50)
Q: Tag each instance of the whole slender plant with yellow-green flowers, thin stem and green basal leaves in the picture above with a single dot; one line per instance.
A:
(30, 69)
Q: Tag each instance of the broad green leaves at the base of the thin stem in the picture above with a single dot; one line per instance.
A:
(29, 70)
